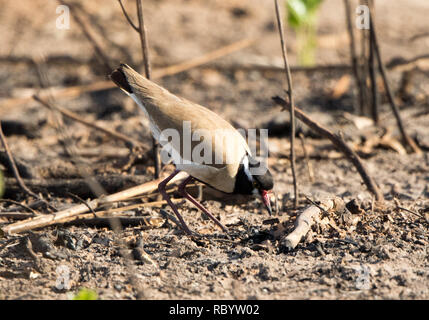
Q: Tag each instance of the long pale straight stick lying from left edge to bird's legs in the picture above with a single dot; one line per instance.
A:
(49, 219)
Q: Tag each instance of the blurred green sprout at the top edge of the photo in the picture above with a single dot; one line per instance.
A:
(302, 18)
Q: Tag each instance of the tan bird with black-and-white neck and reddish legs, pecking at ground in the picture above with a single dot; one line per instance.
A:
(226, 164)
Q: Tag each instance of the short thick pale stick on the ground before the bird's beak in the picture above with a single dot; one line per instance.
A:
(307, 218)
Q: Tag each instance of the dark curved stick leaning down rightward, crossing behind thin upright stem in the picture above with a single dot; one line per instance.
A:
(340, 145)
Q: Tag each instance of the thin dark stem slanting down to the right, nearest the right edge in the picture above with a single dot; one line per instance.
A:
(407, 140)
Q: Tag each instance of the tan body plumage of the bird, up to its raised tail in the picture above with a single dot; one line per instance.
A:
(167, 111)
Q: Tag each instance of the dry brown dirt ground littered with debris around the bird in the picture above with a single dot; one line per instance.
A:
(379, 253)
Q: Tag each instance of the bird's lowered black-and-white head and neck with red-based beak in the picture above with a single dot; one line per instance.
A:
(250, 181)
